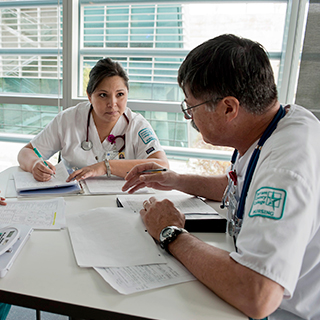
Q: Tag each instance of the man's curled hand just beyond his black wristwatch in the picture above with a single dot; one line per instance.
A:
(157, 215)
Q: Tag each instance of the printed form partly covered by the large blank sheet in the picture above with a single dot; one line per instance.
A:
(127, 280)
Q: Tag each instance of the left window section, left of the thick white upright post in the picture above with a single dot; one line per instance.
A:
(30, 64)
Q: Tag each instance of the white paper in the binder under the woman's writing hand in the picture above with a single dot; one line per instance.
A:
(26, 181)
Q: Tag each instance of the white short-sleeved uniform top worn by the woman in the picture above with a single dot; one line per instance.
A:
(69, 128)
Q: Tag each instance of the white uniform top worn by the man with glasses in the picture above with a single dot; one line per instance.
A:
(280, 235)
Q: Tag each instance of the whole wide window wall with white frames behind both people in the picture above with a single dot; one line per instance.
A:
(149, 38)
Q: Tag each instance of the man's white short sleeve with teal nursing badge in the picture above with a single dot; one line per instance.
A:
(277, 226)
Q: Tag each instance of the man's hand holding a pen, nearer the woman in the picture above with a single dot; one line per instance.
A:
(161, 180)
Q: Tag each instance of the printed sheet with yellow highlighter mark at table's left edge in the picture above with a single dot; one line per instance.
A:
(40, 214)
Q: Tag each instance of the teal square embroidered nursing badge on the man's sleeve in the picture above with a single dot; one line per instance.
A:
(269, 203)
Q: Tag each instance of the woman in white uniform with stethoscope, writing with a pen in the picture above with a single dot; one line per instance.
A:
(93, 136)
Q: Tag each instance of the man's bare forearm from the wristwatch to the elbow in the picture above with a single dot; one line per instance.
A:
(250, 292)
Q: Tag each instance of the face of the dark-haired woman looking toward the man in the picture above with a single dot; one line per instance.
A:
(109, 100)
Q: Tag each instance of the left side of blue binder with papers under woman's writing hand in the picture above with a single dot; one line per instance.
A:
(26, 185)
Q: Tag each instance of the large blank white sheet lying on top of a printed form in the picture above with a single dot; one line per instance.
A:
(111, 237)
